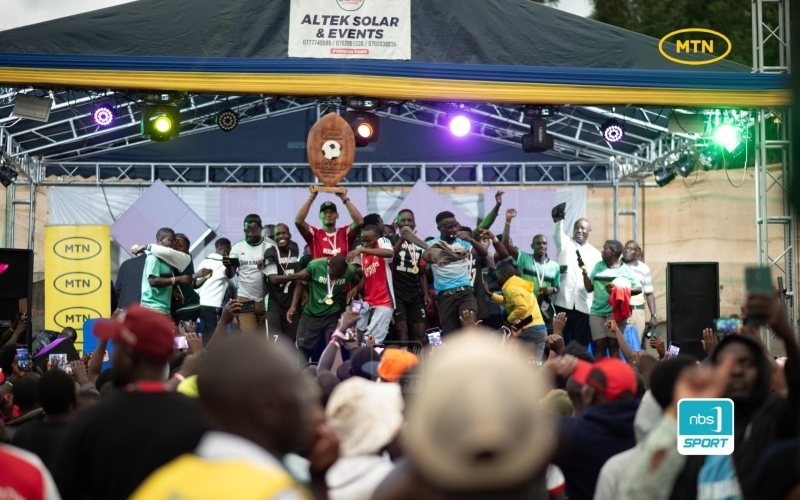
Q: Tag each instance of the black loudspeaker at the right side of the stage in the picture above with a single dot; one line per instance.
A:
(692, 300)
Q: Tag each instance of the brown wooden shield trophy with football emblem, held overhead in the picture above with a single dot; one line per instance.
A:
(331, 149)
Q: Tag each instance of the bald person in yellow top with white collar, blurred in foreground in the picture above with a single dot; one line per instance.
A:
(261, 408)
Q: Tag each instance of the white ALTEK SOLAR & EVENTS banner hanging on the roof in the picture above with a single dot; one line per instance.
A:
(350, 29)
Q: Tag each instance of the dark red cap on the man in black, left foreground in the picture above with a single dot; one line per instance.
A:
(145, 330)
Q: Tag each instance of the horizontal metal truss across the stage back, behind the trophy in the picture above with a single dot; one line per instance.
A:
(297, 174)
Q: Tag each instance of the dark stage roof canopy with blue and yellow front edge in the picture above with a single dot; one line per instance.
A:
(499, 51)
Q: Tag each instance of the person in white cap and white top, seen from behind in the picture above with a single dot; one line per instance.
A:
(361, 465)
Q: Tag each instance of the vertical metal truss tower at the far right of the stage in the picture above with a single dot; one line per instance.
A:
(781, 256)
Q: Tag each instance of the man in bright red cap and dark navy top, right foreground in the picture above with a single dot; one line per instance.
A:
(605, 427)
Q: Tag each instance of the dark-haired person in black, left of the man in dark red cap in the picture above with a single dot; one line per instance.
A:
(56, 392)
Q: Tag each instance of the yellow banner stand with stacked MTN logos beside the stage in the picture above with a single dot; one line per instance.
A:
(77, 275)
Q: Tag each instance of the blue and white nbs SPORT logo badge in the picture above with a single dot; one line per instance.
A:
(705, 426)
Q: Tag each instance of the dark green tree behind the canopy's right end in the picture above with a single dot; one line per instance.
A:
(657, 18)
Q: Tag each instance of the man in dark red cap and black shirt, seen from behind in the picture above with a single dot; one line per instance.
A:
(113, 446)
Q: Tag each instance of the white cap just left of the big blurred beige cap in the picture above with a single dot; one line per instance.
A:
(366, 416)
